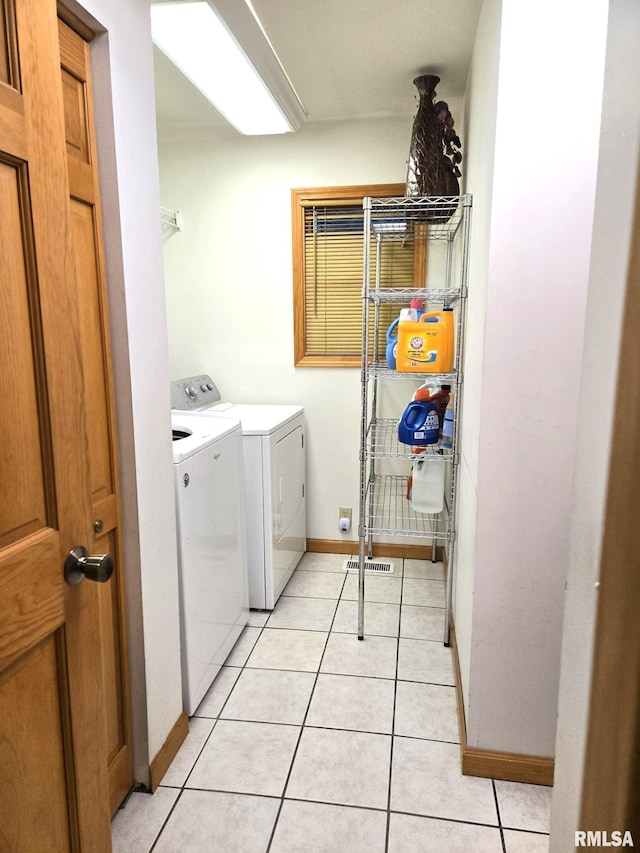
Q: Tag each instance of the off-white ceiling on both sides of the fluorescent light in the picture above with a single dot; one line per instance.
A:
(346, 59)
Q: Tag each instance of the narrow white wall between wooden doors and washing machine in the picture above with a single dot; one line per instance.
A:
(126, 135)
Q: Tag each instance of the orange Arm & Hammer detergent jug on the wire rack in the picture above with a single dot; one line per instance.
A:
(426, 345)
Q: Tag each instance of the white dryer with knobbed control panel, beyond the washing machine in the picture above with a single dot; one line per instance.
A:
(274, 482)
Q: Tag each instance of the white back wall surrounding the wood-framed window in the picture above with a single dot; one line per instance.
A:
(229, 280)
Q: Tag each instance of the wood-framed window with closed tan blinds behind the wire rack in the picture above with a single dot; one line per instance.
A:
(328, 246)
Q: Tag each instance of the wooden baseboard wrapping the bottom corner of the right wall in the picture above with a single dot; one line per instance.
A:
(508, 766)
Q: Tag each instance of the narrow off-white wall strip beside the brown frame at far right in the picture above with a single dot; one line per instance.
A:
(617, 176)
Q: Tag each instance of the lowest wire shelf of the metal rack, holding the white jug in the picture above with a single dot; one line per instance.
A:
(389, 512)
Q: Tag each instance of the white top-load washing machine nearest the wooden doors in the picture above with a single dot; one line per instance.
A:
(213, 579)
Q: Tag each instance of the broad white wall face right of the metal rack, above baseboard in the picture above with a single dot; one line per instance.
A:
(544, 170)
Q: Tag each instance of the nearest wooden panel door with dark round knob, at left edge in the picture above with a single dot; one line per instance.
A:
(54, 741)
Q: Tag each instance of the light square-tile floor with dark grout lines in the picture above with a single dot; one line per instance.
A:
(310, 741)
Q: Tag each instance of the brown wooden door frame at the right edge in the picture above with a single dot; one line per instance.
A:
(611, 781)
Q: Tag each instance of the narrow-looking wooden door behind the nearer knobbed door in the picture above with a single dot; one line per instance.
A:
(86, 231)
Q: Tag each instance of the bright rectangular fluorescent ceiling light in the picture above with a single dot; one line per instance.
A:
(197, 40)
